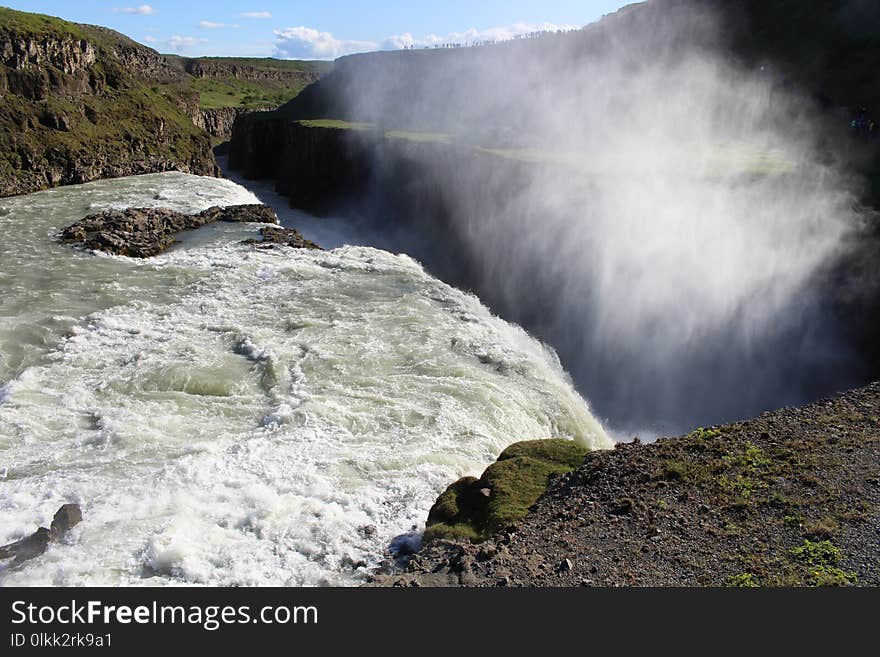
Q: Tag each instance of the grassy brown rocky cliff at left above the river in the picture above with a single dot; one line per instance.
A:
(79, 103)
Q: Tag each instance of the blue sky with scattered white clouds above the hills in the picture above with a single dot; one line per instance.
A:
(318, 29)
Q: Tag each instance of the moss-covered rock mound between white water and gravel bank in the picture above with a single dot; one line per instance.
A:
(473, 509)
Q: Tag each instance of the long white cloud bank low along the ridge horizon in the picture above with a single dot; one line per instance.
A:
(308, 43)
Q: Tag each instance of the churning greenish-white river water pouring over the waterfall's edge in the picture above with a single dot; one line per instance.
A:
(233, 416)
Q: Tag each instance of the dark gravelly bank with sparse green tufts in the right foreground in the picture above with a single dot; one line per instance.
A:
(790, 498)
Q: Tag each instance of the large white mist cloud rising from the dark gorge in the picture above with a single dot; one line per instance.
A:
(668, 220)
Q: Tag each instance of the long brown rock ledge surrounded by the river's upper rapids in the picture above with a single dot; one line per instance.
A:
(146, 232)
